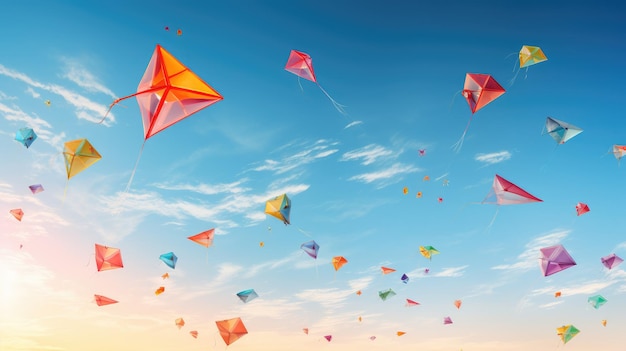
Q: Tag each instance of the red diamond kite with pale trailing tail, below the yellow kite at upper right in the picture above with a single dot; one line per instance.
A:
(478, 90)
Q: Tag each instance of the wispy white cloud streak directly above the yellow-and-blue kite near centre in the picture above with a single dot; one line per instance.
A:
(318, 150)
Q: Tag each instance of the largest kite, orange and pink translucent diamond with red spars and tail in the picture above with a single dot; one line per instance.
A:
(168, 93)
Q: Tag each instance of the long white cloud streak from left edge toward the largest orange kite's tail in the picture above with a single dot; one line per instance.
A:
(84, 107)
